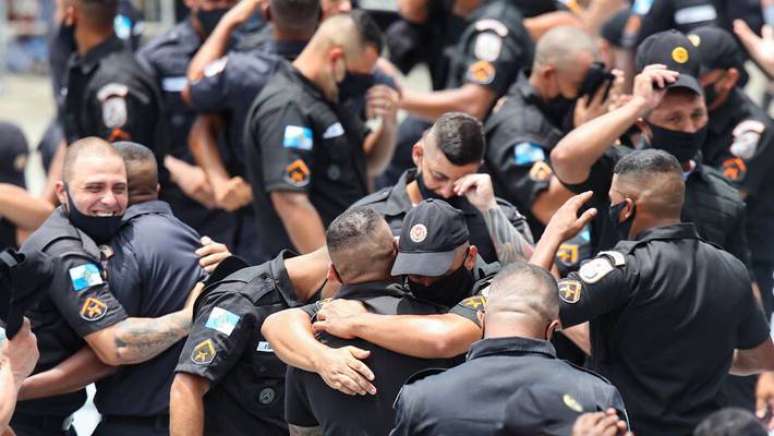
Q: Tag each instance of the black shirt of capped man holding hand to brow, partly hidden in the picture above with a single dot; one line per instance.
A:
(711, 203)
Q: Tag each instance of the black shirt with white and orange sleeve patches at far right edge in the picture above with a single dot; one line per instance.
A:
(741, 144)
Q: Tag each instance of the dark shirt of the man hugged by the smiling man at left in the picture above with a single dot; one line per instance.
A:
(153, 270)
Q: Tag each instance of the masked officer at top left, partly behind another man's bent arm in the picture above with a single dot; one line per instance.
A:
(166, 58)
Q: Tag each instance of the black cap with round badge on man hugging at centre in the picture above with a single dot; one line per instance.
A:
(432, 231)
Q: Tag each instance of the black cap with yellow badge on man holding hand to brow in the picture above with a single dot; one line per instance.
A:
(677, 52)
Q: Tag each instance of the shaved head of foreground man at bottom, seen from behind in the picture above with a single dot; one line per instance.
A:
(524, 297)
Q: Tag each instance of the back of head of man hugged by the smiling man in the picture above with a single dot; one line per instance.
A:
(141, 171)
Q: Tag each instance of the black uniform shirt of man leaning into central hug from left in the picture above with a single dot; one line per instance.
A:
(226, 347)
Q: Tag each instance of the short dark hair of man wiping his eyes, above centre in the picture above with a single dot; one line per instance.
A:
(460, 137)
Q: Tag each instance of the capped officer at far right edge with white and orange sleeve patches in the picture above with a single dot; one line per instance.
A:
(740, 142)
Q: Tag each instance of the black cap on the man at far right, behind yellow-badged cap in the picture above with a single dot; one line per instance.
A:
(718, 49)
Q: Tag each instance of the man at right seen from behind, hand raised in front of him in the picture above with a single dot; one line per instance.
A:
(666, 309)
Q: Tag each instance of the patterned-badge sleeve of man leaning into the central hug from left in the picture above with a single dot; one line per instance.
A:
(223, 327)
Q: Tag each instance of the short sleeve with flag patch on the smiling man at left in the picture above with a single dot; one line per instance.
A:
(82, 295)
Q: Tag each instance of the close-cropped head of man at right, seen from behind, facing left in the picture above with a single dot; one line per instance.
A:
(654, 179)
